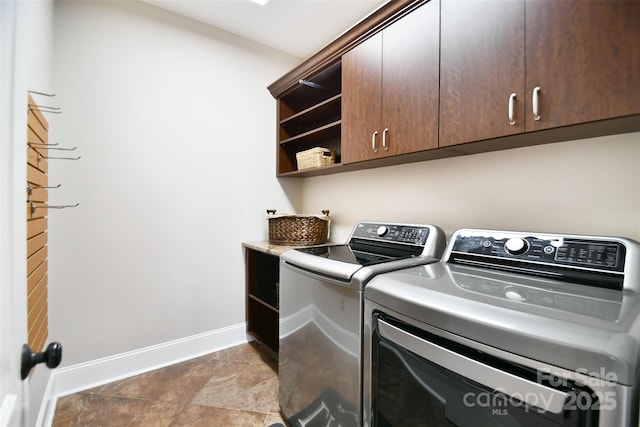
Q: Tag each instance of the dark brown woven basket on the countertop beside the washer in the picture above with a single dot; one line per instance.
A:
(298, 230)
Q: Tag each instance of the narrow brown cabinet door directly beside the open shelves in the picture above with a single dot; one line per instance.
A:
(361, 93)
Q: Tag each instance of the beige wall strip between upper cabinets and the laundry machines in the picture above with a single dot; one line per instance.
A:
(589, 186)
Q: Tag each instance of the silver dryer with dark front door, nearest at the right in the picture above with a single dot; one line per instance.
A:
(509, 329)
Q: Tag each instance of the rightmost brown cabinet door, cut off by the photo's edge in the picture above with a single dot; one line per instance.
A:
(585, 58)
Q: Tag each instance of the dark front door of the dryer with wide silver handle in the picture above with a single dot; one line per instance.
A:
(424, 380)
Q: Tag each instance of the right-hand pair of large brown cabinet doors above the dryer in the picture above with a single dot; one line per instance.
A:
(531, 65)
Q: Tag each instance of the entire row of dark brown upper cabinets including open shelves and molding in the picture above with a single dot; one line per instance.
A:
(420, 80)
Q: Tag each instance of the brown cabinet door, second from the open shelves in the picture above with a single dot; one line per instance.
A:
(410, 81)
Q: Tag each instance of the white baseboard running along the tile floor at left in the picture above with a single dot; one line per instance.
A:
(83, 376)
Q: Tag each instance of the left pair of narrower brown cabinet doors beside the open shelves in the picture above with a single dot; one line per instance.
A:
(390, 89)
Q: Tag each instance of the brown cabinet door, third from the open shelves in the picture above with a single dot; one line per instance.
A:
(482, 64)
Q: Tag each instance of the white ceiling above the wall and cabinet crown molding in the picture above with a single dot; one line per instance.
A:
(297, 27)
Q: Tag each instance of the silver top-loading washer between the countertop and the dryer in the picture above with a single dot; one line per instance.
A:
(321, 303)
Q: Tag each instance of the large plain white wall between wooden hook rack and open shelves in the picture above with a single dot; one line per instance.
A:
(176, 131)
